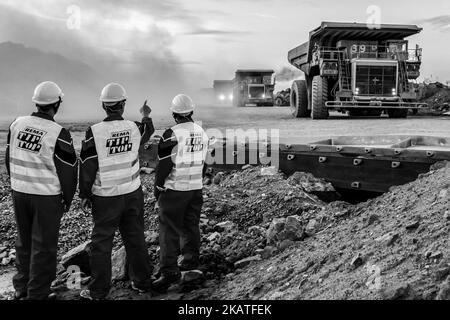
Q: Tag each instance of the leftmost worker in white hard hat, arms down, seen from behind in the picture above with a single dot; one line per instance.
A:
(43, 166)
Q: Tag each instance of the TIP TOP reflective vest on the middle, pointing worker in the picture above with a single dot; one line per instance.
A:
(117, 144)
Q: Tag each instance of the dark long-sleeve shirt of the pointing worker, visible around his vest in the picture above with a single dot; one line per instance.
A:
(89, 156)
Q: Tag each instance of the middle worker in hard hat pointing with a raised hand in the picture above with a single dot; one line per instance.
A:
(110, 184)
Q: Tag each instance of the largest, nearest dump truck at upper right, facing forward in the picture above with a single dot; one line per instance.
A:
(351, 67)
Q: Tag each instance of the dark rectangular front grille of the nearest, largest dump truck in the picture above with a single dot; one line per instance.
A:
(376, 80)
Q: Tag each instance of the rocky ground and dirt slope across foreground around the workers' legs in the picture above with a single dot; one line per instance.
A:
(265, 236)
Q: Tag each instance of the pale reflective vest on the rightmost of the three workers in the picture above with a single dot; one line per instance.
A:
(188, 157)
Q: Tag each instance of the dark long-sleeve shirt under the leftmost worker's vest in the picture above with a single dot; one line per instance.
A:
(65, 160)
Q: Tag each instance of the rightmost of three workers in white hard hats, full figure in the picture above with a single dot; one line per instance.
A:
(178, 189)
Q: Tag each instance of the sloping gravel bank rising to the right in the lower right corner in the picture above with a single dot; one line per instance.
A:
(396, 246)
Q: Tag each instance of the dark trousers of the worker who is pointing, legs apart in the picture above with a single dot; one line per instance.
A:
(126, 213)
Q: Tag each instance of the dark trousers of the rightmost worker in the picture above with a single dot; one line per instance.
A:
(179, 231)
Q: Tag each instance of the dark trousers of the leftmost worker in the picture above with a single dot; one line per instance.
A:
(38, 219)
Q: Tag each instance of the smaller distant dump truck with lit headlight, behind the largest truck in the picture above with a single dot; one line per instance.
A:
(253, 87)
